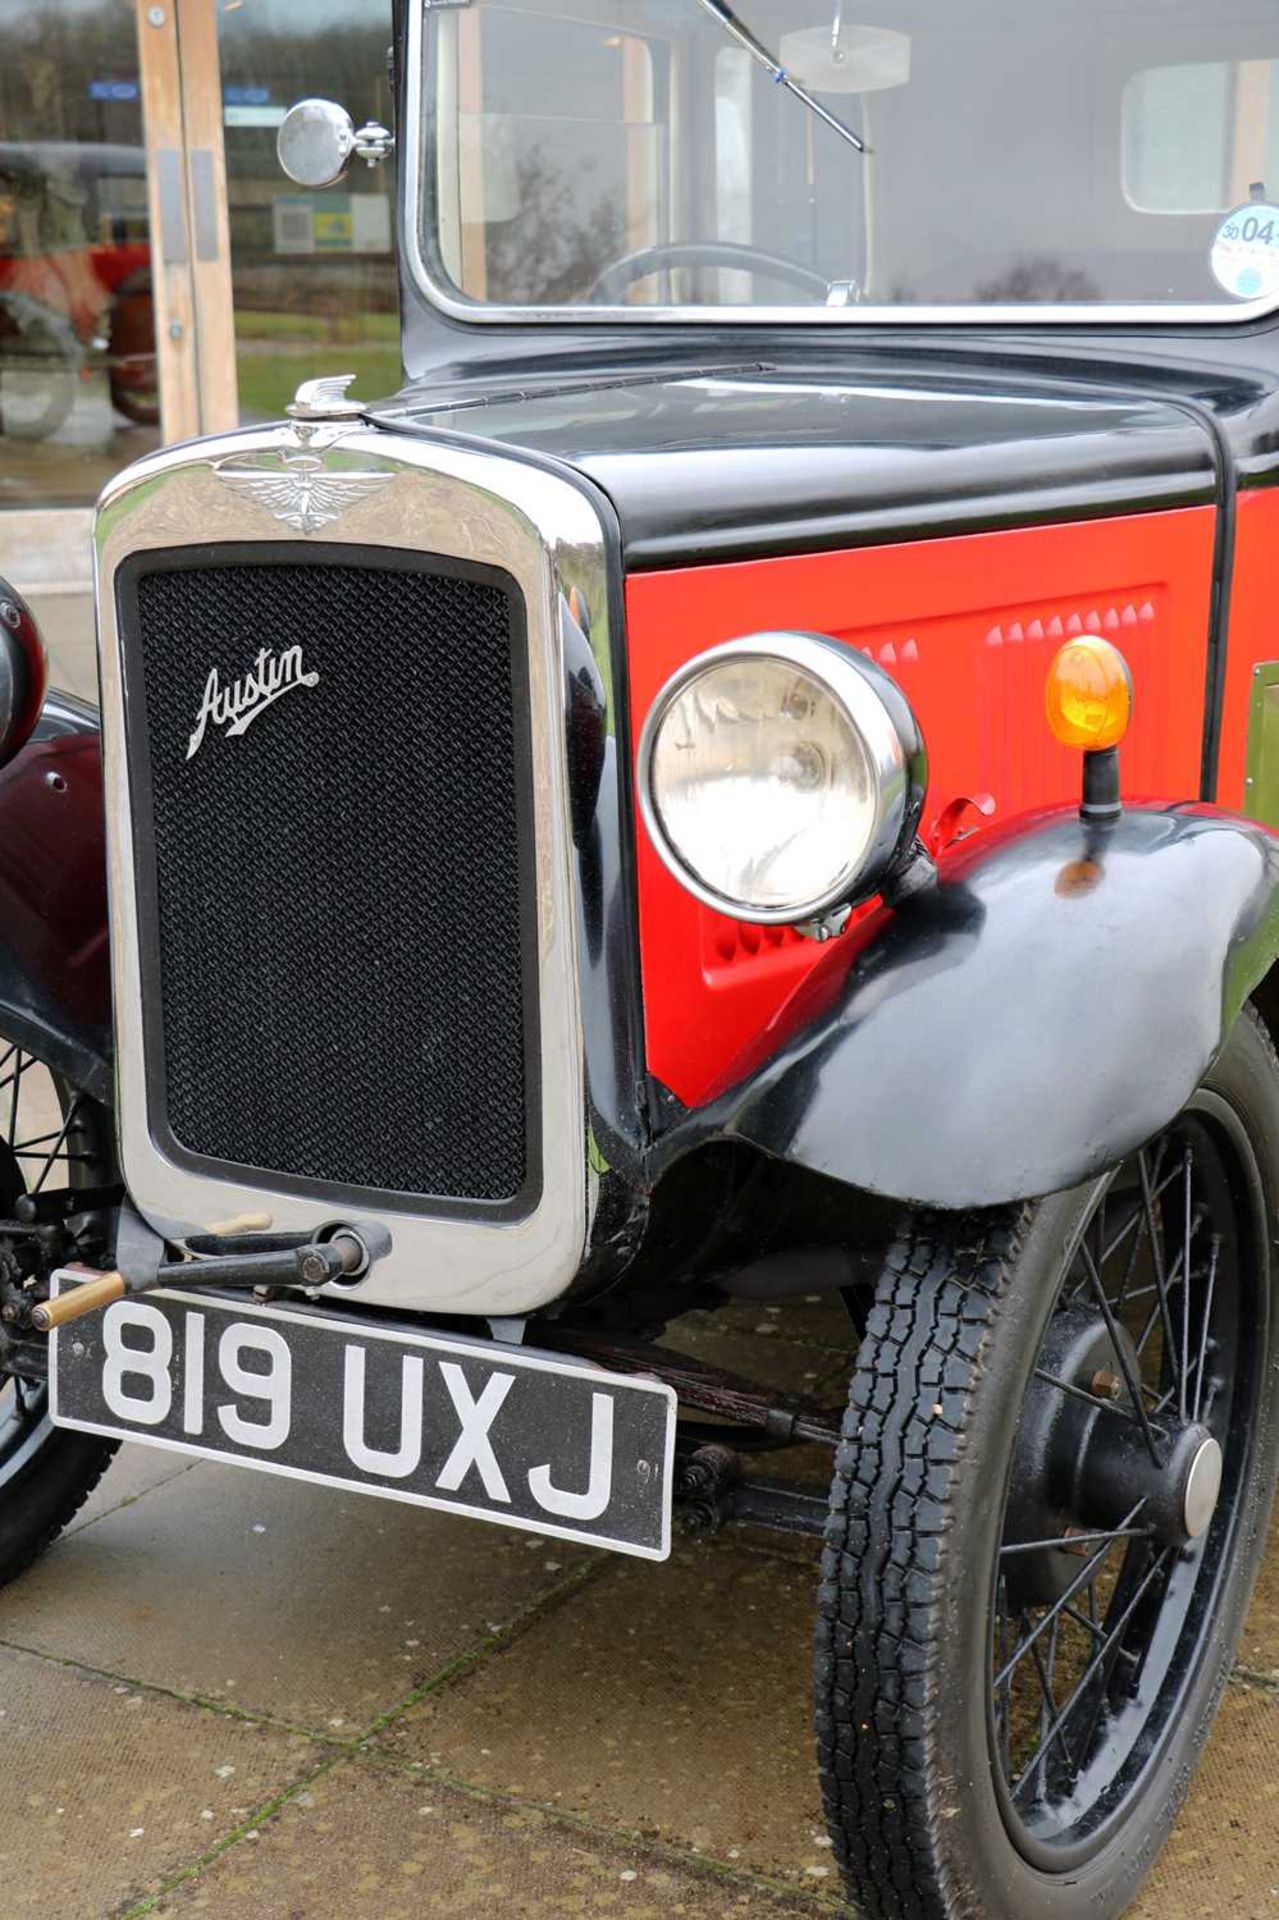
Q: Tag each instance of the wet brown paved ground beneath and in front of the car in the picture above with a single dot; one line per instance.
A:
(249, 1698)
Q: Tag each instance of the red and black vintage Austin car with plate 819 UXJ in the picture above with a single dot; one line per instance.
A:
(750, 777)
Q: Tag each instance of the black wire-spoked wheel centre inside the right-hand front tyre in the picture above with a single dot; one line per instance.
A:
(1126, 1483)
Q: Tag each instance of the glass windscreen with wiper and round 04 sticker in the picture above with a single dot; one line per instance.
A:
(796, 155)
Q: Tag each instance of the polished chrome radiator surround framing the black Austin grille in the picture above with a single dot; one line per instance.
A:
(441, 500)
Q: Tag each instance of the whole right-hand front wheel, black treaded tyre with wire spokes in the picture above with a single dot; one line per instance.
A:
(1048, 1518)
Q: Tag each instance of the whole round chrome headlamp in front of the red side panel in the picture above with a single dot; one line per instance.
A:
(781, 777)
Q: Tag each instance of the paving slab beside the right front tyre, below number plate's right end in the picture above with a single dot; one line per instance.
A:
(671, 1700)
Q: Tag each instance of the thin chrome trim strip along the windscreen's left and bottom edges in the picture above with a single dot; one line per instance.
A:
(475, 314)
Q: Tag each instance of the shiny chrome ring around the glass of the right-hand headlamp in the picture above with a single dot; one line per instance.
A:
(886, 731)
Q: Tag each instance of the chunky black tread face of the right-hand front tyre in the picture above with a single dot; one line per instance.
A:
(884, 1581)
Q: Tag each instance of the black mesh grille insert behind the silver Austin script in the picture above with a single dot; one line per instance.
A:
(339, 888)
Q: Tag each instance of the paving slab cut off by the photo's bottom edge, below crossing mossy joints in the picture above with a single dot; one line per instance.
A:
(368, 1844)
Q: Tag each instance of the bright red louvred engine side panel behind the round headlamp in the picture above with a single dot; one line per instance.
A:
(969, 629)
